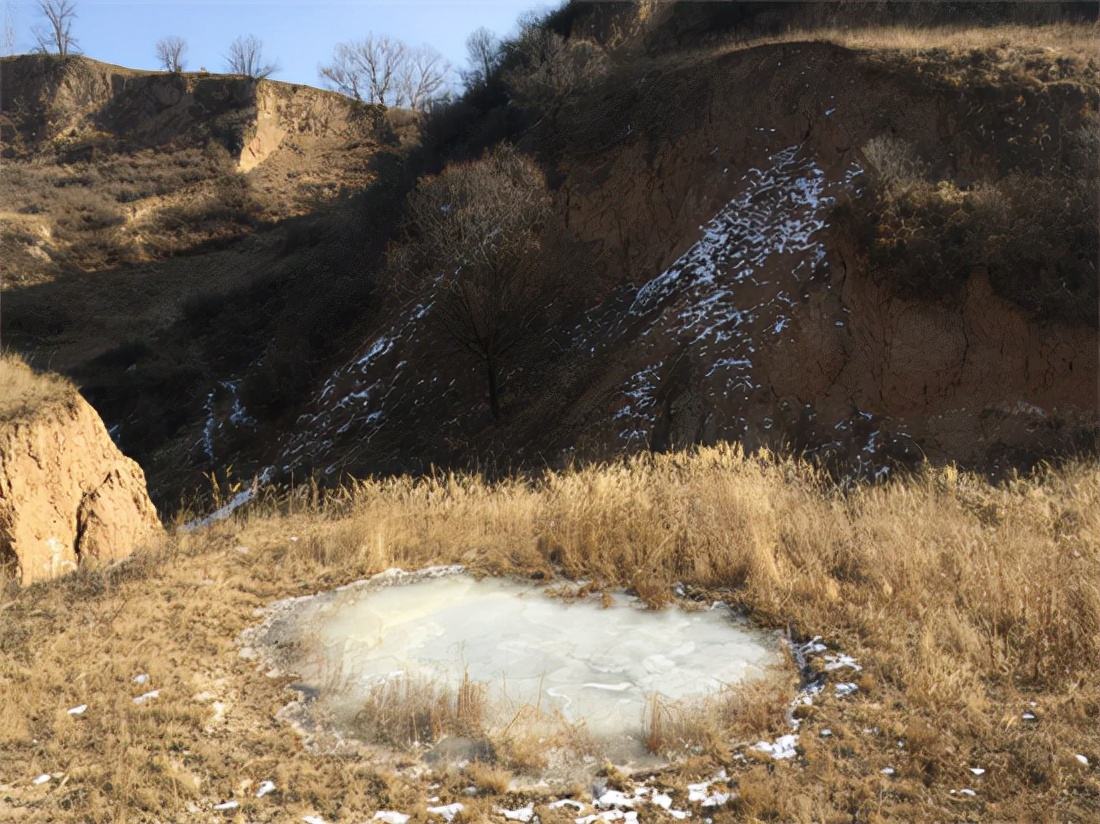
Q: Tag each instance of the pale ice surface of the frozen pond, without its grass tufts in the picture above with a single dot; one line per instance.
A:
(591, 662)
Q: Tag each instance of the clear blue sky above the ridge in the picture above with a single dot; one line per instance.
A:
(298, 35)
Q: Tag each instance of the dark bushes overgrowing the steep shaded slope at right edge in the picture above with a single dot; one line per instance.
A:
(1035, 235)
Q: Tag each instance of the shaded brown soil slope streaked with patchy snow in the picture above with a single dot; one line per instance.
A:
(708, 190)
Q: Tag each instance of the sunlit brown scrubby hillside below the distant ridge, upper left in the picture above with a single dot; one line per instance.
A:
(107, 166)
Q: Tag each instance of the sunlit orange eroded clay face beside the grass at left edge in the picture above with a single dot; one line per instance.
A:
(68, 496)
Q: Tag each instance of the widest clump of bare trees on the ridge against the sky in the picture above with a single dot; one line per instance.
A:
(380, 70)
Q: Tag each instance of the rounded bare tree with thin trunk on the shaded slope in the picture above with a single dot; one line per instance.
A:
(472, 237)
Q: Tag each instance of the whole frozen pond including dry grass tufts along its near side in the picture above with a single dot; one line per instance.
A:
(446, 664)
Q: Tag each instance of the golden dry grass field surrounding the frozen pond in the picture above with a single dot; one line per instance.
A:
(964, 602)
